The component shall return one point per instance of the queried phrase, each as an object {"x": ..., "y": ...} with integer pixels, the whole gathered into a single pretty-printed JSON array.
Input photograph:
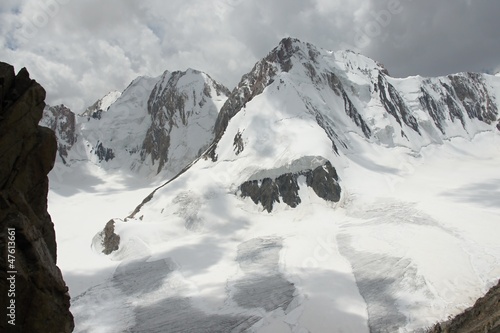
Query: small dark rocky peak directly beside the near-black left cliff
[{"x": 62, "y": 121}]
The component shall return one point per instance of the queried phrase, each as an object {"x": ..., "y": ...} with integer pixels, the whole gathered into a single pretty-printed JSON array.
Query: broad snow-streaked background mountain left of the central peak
[{"x": 156, "y": 125}]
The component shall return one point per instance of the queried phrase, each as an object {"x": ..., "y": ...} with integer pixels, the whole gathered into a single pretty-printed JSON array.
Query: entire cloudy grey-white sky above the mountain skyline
[{"x": 80, "y": 50}]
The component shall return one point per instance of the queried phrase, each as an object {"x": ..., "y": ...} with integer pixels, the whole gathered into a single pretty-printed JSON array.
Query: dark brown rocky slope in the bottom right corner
[{"x": 483, "y": 317}]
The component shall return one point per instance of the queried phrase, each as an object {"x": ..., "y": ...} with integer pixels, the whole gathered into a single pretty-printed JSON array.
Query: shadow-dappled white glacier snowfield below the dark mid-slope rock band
[{"x": 421, "y": 239}]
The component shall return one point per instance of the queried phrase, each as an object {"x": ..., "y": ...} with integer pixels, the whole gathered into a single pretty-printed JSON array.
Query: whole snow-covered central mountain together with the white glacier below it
[{"x": 411, "y": 240}]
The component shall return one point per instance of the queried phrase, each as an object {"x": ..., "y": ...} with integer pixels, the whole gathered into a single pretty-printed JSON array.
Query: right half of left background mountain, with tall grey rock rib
[{"x": 178, "y": 99}]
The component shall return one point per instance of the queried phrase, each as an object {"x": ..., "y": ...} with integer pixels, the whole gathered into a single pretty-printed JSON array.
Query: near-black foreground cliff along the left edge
[{"x": 27, "y": 155}]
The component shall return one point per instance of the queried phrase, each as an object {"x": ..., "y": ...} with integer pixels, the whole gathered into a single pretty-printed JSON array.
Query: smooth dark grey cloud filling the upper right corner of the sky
[{"x": 440, "y": 37}]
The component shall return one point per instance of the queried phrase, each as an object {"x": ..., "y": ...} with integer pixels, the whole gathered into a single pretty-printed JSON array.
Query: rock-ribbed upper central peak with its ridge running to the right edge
[{"x": 349, "y": 93}]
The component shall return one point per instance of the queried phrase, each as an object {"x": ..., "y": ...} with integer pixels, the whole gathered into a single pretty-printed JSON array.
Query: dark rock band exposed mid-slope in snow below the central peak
[{"x": 322, "y": 179}]
